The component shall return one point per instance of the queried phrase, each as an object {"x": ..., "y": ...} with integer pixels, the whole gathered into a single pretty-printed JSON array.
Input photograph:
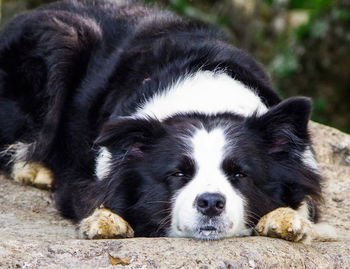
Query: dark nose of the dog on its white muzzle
[{"x": 210, "y": 204}]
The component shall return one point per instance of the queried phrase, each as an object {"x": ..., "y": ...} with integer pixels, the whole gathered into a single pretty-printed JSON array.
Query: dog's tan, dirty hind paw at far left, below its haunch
[{"x": 32, "y": 174}]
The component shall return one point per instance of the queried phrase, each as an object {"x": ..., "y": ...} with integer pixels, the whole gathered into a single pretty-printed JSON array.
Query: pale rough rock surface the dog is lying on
[{"x": 33, "y": 235}]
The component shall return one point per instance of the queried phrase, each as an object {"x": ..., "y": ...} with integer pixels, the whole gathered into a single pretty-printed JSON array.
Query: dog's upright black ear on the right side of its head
[{"x": 284, "y": 125}]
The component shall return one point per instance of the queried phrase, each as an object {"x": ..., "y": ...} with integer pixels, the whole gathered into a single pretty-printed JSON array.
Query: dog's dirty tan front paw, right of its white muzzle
[{"x": 287, "y": 224}]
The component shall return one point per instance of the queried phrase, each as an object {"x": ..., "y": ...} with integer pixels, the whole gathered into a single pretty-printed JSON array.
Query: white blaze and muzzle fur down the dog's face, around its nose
[{"x": 208, "y": 153}]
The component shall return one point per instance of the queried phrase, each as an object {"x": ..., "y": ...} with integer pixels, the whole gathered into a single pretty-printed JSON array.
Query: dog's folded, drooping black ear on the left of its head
[{"x": 130, "y": 135}]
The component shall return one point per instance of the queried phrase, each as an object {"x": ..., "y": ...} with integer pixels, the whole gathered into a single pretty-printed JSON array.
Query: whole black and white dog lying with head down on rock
[{"x": 133, "y": 115}]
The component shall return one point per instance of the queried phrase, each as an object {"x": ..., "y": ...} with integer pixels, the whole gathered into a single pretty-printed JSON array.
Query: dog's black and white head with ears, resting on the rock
[{"x": 208, "y": 177}]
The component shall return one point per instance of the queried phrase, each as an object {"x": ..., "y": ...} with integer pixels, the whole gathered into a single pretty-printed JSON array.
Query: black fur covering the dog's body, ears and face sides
[{"x": 71, "y": 71}]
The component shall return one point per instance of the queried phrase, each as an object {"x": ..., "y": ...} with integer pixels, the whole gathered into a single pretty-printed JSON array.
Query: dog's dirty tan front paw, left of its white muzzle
[{"x": 104, "y": 224}]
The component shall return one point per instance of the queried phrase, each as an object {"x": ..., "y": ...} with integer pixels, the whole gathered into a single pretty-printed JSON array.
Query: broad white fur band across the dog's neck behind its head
[{"x": 205, "y": 92}]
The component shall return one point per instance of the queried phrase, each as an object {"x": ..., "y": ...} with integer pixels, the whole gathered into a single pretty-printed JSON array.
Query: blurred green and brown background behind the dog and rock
[{"x": 304, "y": 44}]
